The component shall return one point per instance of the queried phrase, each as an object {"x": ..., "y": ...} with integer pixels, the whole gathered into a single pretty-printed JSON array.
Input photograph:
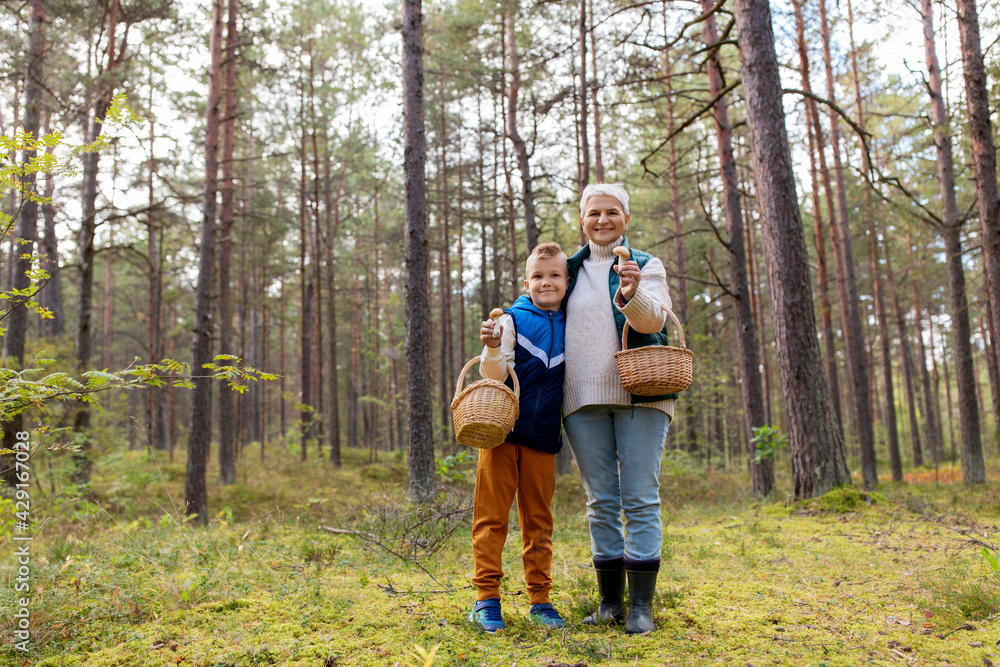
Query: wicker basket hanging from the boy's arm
[{"x": 485, "y": 411}]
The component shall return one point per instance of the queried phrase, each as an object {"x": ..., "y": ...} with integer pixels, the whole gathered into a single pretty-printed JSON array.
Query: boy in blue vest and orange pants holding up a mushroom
[{"x": 532, "y": 335}]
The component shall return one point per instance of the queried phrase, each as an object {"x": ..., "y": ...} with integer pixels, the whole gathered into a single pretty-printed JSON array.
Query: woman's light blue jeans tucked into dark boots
[{"x": 618, "y": 450}]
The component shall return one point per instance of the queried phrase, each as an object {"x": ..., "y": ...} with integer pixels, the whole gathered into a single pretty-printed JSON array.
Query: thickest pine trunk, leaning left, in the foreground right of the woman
[{"x": 818, "y": 457}]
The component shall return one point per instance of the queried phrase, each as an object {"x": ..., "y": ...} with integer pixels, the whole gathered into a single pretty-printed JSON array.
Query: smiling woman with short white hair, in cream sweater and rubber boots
[{"x": 616, "y": 437}]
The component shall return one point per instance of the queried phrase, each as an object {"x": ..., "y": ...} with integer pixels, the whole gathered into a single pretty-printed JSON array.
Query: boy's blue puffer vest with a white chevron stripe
[{"x": 540, "y": 366}]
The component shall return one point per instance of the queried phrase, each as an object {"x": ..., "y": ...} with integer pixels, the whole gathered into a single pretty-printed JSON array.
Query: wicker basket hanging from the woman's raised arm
[{"x": 655, "y": 369}]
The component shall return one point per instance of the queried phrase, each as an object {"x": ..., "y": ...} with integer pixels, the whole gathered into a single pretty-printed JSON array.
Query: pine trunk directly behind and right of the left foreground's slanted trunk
[{"x": 227, "y": 445}]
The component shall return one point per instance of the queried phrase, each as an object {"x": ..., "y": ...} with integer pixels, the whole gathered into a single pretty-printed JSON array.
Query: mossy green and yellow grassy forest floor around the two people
[{"x": 895, "y": 577}]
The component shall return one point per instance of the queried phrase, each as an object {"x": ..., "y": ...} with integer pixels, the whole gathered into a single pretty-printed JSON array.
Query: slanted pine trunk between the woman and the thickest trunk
[{"x": 762, "y": 474}]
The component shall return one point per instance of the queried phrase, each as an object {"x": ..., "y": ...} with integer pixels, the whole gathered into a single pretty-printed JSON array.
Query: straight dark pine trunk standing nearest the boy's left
[{"x": 420, "y": 433}]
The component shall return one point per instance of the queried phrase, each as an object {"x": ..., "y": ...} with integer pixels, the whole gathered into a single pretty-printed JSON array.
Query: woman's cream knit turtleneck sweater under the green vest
[{"x": 591, "y": 336}]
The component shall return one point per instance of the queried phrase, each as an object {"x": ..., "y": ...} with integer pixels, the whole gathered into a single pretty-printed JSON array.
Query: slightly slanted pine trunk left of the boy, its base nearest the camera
[{"x": 200, "y": 431}]
